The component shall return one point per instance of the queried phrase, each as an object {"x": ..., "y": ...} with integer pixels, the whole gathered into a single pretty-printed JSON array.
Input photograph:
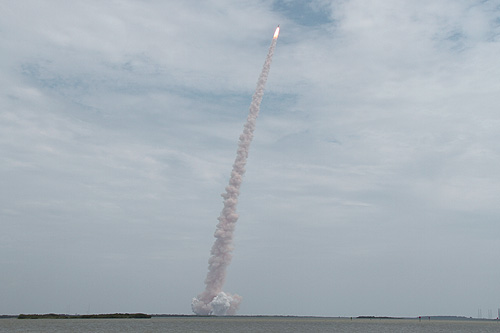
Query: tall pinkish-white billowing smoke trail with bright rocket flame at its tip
[{"x": 213, "y": 301}]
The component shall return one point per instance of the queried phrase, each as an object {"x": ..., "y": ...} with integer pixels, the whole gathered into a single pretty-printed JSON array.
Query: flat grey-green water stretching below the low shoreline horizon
[{"x": 243, "y": 324}]
